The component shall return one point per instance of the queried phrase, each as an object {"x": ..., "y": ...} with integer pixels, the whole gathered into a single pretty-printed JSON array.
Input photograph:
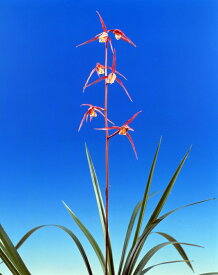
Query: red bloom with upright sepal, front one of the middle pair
[{"x": 111, "y": 78}]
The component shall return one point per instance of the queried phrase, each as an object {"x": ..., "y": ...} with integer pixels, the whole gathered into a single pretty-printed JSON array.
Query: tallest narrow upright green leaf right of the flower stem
[{"x": 145, "y": 197}]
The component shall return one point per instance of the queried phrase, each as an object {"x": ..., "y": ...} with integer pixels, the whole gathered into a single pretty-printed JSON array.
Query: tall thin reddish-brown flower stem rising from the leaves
[{"x": 106, "y": 161}]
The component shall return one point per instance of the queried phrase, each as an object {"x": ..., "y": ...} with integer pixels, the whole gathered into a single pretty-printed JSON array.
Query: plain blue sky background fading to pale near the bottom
[{"x": 172, "y": 77}]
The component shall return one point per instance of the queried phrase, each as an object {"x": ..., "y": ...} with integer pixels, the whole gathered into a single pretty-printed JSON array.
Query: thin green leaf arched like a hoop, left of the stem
[{"x": 69, "y": 232}]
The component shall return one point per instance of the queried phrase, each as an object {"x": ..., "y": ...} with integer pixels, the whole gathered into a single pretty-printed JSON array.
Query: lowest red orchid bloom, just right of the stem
[{"x": 123, "y": 130}]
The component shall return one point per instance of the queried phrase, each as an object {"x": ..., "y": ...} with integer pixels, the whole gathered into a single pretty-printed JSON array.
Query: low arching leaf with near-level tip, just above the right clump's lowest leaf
[{"x": 151, "y": 253}]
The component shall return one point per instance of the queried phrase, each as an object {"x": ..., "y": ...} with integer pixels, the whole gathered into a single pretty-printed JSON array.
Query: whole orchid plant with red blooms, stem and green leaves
[{"x": 130, "y": 261}]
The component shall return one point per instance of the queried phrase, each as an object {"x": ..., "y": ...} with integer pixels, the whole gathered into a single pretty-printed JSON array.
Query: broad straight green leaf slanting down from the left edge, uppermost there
[{"x": 12, "y": 253}]
